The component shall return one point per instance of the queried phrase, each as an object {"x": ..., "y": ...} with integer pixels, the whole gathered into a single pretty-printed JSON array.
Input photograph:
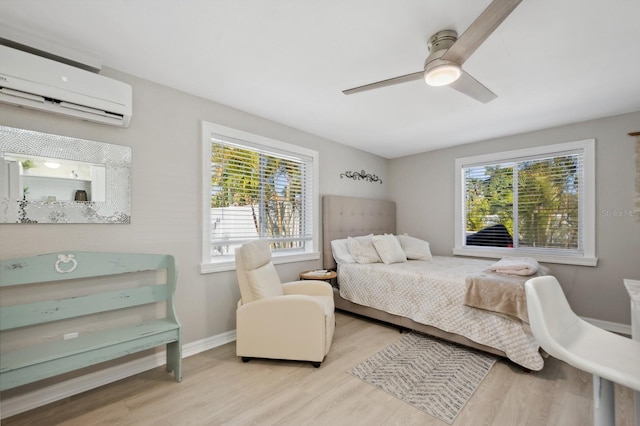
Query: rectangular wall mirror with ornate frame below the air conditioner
[{"x": 47, "y": 178}]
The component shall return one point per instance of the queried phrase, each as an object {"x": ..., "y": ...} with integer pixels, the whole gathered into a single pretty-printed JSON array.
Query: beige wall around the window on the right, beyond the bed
[{"x": 594, "y": 292}]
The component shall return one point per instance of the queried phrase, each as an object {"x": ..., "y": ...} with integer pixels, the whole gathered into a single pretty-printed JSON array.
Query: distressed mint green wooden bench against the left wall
[{"x": 44, "y": 360}]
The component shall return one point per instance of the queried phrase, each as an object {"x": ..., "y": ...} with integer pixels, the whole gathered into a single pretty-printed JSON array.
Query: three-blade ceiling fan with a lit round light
[{"x": 447, "y": 53}]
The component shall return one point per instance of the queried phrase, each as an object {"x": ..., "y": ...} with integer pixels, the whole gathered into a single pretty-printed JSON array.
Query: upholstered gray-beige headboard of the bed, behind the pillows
[{"x": 344, "y": 217}]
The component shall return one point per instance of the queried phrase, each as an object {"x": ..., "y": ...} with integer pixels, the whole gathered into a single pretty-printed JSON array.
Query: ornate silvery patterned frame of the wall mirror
[{"x": 116, "y": 158}]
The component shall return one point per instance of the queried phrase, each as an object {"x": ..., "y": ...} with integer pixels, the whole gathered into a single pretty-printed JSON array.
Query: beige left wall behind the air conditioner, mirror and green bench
[{"x": 165, "y": 139}]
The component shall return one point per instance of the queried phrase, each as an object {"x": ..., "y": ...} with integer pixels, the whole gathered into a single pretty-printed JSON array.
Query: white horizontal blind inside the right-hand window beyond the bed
[{"x": 525, "y": 203}]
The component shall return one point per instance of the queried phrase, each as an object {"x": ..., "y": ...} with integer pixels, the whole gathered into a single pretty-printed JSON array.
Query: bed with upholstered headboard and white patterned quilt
[{"x": 426, "y": 295}]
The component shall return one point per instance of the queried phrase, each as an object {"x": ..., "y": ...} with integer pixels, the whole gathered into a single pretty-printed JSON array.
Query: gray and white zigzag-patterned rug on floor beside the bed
[{"x": 432, "y": 375}]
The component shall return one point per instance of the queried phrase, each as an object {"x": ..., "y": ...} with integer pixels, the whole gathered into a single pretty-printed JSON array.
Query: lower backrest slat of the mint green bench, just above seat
[{"x": 55, "y": 310}]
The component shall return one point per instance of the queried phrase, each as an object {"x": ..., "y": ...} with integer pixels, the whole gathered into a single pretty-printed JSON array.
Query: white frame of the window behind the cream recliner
[{"x": 211, "y": 264}]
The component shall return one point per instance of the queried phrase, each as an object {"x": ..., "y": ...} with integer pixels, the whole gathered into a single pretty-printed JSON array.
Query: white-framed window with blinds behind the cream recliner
[{"x": 257, "y": 188}]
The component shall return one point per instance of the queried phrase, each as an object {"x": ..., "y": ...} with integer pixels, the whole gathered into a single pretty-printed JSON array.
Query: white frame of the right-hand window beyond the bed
[{"x": 588, "y": 206}]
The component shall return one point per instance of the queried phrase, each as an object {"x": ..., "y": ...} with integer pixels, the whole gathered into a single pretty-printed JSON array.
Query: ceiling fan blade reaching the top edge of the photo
[{"x": 479, "y": 30}]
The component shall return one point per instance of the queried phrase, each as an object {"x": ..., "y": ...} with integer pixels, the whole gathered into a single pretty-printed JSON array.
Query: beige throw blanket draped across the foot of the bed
[{"x": 502, "y": 294}]
